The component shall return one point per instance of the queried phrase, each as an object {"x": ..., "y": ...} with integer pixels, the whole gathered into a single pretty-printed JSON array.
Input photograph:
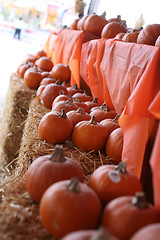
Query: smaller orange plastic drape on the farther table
[{"x": 68, "y": 50}]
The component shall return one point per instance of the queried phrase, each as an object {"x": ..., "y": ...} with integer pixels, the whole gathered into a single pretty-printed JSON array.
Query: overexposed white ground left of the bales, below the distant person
[{"x": 13, "y": 51}]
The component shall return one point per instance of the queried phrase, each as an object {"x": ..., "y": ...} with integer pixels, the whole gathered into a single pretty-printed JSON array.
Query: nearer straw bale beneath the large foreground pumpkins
[{"x": 19, "y": 214}]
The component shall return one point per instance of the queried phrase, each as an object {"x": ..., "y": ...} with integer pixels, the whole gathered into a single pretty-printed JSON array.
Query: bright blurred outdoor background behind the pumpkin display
[{"x": 40, "y": 17}]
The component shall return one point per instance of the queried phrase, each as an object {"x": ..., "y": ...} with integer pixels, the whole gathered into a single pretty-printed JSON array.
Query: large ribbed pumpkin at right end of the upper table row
[{"x": 149, "y": 34}]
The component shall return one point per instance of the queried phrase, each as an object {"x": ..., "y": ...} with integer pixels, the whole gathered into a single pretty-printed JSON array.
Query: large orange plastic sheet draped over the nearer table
[{"x": 126, "y": 76}]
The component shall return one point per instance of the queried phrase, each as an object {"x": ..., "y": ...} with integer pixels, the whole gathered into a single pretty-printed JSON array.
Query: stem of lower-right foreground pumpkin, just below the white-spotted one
[{"x": 140, "y": 200}]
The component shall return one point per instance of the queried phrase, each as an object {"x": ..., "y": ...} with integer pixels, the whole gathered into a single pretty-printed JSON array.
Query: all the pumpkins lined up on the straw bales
[{"x": 111, "y": 204}]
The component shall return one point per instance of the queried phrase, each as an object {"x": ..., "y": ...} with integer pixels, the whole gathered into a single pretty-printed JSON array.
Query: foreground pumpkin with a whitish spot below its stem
[{"x": 110, "y": 181}]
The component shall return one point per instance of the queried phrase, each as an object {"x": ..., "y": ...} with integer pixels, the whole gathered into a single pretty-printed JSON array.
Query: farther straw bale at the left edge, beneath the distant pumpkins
[{"x": 14, "y": 114}]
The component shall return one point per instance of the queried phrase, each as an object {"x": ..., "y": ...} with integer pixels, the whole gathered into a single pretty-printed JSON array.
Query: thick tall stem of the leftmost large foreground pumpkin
[{"x": 58, "y": 154}]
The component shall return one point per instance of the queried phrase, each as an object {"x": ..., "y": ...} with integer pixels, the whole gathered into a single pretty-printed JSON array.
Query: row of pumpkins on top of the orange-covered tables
[{"x": 117, "y": 28}]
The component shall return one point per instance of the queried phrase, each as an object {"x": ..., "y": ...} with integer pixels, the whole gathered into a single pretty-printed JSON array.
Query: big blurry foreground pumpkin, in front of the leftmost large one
[{"x": 68, "y": 206}]
